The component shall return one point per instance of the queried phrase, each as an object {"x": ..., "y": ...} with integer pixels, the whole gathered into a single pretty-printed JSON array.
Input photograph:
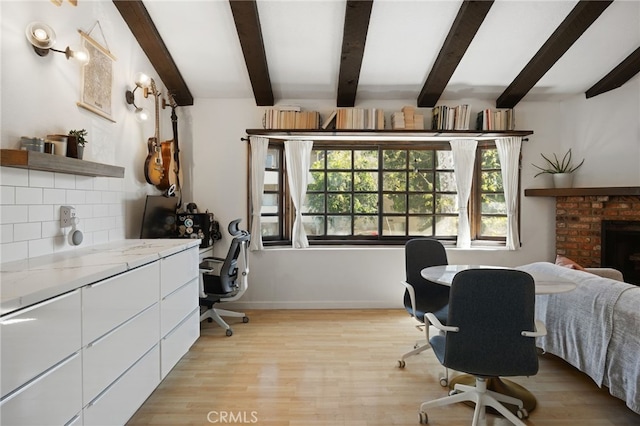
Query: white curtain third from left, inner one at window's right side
[{"x": 464, "y": 156}]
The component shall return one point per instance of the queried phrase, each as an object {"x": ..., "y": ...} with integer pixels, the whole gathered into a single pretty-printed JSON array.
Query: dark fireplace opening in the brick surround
[{"x": 621, "y": 248}]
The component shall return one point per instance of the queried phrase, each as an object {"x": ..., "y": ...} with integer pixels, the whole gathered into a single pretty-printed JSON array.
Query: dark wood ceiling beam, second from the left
[{"x": 245, "y": 15}]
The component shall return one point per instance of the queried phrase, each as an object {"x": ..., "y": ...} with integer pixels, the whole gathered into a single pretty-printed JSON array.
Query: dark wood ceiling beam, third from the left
[{"x": 354, "y": 37}]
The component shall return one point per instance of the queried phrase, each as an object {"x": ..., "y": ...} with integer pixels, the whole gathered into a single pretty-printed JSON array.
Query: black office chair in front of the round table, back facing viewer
[{"x": 490, "y": 332}]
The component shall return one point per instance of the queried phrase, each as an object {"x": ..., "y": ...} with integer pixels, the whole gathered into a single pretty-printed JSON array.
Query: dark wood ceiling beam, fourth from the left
[{"x": 464, "y": 28}]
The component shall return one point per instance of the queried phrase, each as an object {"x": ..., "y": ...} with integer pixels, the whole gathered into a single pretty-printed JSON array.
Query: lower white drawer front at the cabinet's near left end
[{"x": 52, "y": 399}]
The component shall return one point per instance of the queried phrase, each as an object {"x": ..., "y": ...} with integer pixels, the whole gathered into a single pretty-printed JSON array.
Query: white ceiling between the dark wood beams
[{"x": 303, "y": 40}]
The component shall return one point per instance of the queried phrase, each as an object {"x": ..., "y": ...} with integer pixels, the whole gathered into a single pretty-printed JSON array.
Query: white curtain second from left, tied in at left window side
[{"x": 298, "y": 158}]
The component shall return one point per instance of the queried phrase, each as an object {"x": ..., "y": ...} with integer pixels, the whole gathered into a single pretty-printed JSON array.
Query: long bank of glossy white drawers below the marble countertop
[{"x": 93, "y": 355}]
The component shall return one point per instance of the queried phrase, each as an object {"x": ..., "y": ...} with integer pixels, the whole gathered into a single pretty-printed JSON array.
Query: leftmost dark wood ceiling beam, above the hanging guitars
[{"x": 144, "y": 30}]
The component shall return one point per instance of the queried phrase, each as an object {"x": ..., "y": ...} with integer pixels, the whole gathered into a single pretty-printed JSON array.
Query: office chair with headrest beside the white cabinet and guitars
[{"x": 219, "y": 281}]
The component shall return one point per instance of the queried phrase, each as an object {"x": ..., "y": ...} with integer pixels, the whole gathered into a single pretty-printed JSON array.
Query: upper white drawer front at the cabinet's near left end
[{"x": 38, "y": 337}]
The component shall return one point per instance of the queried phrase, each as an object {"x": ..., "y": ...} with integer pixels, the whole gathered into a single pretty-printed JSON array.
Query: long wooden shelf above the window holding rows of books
[{"x": 386, "y": 134}]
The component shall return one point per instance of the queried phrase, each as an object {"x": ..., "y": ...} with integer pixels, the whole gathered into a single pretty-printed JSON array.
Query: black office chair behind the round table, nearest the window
[{"x": 421, "y": 295}]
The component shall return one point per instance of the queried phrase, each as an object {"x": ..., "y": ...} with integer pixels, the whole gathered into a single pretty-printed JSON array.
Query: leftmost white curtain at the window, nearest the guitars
[{"x": 259, "y": 147}]
